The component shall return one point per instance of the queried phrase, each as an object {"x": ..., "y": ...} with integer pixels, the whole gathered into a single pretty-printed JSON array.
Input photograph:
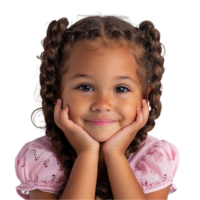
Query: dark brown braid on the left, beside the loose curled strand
[{"x": 49, "y": 76}]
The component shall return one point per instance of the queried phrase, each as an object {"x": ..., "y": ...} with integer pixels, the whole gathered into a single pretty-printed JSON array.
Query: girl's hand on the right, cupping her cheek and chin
[{"x": 120, "y": 141}]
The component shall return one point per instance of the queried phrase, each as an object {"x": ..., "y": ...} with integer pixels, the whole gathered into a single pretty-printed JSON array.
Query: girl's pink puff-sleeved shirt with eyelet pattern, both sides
[{"x": 36, "y": 166}]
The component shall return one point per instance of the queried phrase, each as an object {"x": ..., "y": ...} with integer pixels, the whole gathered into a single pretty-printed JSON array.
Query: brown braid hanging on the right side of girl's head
[{"x": 153, "y": 61}]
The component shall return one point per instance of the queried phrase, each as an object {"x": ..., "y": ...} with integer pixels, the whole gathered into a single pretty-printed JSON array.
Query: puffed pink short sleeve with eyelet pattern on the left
[{"x": 36, "y": 167}]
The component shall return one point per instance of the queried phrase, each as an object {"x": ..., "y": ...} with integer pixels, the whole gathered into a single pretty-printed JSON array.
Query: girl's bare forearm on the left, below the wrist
[{"x": 83, "y": 177}]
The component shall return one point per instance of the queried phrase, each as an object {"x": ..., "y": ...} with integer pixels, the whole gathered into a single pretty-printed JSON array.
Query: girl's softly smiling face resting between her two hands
[{"x": 103, "y": 95}]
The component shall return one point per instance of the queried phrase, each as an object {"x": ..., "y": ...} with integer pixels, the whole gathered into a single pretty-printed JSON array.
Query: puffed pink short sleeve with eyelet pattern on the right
[{"x": 156, "y": 167}]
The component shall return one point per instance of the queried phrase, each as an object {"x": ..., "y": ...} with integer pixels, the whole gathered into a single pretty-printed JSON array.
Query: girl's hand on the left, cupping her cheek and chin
[{"x": 75, "y": 134}]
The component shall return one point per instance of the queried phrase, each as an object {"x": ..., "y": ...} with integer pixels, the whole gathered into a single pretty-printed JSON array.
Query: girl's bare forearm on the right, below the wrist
[{"x": 123, "y": 183}]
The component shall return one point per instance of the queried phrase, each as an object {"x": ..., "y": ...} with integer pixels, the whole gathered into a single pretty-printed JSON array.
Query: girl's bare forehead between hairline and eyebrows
[{"x": 97, "y": 57}]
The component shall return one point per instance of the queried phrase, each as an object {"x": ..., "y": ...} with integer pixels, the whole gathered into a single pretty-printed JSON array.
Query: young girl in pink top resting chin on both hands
[{"x": 101, "y": 67}]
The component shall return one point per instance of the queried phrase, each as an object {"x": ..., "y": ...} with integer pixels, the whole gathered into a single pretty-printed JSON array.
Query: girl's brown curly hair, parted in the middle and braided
[{"x": 61, "y": 35}]
